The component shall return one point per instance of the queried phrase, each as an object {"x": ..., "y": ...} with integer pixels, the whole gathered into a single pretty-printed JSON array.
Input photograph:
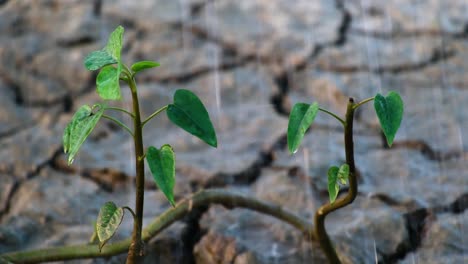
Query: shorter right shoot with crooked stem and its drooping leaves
[{"x": 389, "y": 110}]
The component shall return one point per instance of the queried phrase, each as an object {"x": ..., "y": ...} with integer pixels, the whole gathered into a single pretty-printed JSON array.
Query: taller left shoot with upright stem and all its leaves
[{"x": 187, "y": 112}]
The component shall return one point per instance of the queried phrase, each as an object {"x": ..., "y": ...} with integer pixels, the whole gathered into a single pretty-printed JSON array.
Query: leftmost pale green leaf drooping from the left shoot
[{"x": 81, "y": 125}]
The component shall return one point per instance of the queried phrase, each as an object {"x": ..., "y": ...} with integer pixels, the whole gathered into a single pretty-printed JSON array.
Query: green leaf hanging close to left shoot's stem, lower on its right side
[{"x": 162, "y": 166}]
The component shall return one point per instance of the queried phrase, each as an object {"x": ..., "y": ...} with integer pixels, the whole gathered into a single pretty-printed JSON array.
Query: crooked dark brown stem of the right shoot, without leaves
[{"x": 323, "y": 211}]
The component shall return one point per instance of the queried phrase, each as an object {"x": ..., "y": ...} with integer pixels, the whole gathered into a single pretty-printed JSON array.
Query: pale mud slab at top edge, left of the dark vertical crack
[{"x": 247, "y": 26}]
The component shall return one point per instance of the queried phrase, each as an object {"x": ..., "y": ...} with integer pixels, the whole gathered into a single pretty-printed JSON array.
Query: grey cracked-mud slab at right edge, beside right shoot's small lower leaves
[{"x": 412, "y": 177}]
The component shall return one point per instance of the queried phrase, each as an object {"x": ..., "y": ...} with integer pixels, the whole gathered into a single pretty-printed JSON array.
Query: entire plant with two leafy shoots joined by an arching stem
[{"x": 188, "y": 112}]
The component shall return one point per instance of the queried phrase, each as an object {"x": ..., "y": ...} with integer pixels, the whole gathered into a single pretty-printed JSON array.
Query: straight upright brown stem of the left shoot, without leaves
[{"x": 135, "y": 251}]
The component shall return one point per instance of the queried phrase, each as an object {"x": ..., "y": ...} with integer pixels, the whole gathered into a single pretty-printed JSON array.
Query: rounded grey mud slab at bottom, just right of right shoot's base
[{"x": 366, "y": 230}]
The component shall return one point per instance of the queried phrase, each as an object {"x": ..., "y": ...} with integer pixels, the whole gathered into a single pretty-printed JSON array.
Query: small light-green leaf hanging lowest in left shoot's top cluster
[{"x": 107, "y": 83}]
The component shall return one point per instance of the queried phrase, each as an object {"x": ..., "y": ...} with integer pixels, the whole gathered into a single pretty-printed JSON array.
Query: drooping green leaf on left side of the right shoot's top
[{"x": 301, "y": 118}]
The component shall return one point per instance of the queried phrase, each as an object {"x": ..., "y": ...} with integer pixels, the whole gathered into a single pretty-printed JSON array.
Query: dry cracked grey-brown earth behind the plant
[{"x": 249, "y": 61}]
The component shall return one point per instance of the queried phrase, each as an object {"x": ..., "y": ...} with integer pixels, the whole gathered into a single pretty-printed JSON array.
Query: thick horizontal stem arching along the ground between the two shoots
[{"x": 201, "y": 199}]
